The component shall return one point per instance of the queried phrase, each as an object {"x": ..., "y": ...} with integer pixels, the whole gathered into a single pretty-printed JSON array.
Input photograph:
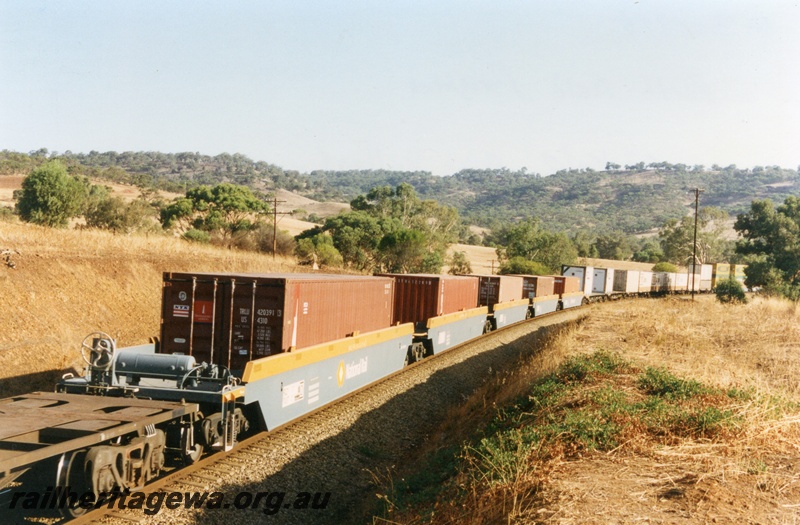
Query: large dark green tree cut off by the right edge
[{"x": 771, "y": 241}]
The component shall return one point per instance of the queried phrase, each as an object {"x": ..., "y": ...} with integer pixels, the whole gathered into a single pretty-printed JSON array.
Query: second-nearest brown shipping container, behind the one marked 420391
[{"x": 418, "y": 297}]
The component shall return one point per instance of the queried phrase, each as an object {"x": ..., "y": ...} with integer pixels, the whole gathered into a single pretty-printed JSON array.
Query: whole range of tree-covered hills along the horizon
[{"x": 634, "y": 198}]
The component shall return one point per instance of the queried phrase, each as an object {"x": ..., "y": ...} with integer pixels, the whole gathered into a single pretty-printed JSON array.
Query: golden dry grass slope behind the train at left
[{"x": 68, "y": 283}]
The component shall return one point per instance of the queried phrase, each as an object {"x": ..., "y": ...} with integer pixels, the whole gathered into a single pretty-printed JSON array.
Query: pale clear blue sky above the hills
[{"x": 407, "y": 85}]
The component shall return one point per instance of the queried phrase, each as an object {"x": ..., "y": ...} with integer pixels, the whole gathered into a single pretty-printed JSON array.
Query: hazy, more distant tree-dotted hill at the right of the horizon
[{"x": 633, "y": 200}]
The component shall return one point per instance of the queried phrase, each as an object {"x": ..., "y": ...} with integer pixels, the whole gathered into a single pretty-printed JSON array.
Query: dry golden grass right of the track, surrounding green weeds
[{"x": 751, "y": 352}]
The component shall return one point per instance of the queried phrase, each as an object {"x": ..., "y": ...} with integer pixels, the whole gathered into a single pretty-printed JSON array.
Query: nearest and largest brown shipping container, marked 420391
[{"x": 229, "y": 319}]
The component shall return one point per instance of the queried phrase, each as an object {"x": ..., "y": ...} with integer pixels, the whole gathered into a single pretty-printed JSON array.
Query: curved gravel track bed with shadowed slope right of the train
[{"x": 337, "y": 445}]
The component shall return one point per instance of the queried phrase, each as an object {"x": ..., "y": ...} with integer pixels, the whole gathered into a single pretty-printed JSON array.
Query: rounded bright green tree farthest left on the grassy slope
[{"x": 50, "y": 196}]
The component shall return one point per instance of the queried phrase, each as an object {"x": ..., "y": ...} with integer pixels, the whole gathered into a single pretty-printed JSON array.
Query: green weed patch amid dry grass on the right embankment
[{"x": 597, "y": 402}]
